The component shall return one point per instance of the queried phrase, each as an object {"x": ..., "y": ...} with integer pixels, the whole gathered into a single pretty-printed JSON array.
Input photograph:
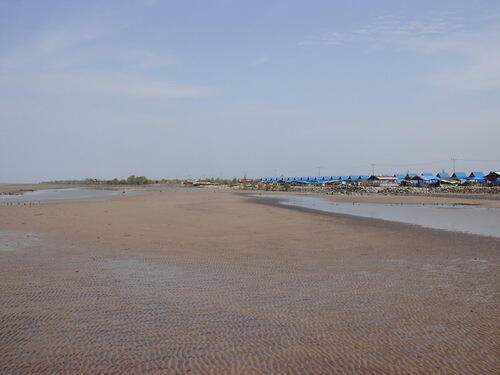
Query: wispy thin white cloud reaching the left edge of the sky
[{"x": 73, "y": 62}]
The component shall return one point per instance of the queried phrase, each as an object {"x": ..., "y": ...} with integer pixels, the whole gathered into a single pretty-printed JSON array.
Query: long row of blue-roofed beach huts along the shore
[{"x": 457, "y": 178}]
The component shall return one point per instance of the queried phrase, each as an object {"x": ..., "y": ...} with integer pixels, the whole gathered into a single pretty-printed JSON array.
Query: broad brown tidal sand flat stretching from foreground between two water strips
[{"x": 208, "y": 282}]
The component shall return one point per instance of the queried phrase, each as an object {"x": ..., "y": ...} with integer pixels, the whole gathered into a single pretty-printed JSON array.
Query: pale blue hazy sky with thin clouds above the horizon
[{"x": 223, "y": 88}]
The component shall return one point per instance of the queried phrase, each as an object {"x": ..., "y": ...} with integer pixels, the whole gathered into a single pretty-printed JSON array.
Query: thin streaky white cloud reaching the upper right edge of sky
[{"x": 472, "y": 54}]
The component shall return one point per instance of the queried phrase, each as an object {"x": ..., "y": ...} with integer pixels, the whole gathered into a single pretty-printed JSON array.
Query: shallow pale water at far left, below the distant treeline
[{"x": 55, "y": 195}]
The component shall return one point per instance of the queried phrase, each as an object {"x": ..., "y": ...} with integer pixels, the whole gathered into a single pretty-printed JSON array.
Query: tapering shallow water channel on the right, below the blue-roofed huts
[{"x": 459, "y": 218}]
